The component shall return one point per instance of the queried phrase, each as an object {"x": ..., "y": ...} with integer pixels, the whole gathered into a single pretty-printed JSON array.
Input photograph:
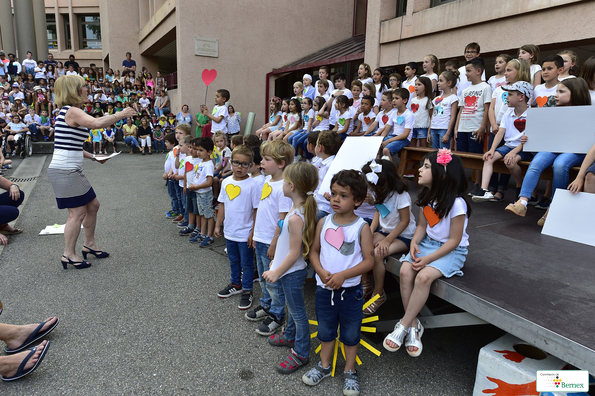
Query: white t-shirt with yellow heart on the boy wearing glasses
[{"x": 240, "y": 198}]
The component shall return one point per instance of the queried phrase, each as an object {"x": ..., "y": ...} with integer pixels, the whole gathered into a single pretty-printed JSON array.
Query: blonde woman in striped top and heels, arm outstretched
[{"x": 72, "y": 189}]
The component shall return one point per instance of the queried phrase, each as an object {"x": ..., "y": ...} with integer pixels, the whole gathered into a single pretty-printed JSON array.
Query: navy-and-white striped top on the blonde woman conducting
[{"x": 68, "y": 143}]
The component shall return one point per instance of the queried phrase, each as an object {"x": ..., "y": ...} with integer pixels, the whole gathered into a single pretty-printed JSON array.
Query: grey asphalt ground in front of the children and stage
[{"x": 147, "y": 320}]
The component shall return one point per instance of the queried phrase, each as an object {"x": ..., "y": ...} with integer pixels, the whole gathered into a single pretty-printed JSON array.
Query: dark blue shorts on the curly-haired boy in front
[{"x": 343, "y": 307}]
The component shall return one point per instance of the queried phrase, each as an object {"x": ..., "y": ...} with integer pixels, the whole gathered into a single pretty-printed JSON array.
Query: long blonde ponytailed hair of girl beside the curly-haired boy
[{"x": 304, "y": 178}]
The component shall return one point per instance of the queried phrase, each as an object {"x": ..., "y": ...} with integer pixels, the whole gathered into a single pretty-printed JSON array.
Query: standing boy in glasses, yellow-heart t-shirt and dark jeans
[{"x": 239, "y": 198}]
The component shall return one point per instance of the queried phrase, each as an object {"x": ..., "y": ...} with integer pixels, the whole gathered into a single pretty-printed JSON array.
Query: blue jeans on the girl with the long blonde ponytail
[{"x": 298, "y": 327}]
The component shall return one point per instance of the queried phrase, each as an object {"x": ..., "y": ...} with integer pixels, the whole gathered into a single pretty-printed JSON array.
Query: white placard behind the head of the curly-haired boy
[{"x": 355, "y": 152}]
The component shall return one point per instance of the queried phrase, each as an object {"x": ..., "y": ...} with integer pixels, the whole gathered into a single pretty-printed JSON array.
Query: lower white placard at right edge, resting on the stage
[{"x": 571, "y": 217}]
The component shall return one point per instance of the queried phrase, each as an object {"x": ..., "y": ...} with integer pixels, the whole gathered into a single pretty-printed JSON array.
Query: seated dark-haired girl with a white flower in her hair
[{"x": 393, "y": 221}]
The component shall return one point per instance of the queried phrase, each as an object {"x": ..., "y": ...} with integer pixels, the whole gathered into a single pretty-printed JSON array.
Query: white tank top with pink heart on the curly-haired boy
[{"x": 340, "y": 248}]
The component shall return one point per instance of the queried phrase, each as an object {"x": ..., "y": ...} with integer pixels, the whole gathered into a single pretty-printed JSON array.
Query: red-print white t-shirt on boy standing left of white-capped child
[{"x": 472, "y": 102}]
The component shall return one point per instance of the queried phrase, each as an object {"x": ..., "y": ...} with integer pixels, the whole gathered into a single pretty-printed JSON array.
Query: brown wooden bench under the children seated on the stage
[{"x": 471, "y": 161}]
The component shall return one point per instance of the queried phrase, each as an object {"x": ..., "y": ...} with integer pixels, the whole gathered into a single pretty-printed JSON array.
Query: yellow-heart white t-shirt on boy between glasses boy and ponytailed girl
[{"x": 272, "y": 203}]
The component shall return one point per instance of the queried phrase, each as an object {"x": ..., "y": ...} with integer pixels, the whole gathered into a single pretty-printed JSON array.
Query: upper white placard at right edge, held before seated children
[{"x": 568, "y": 129}]
